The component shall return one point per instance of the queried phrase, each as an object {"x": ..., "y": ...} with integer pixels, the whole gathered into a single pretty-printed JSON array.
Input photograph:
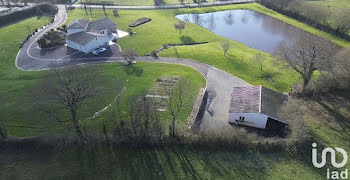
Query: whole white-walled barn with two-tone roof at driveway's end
[{"x": 257, "y": 107}]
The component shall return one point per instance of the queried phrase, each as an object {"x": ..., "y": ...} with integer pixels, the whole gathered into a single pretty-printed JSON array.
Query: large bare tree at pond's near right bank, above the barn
[{"x": 306, "y": 55}]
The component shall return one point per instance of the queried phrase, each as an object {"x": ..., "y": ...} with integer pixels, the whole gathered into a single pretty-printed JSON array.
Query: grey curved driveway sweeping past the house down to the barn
[{"x": 219, "y": 83}]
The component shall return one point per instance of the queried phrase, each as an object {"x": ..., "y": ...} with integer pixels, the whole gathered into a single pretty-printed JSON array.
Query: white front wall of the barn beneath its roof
[{"x": 256, "y": 120}]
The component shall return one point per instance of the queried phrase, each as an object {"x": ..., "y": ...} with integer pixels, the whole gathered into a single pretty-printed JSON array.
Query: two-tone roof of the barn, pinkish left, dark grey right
[{"x": 257, "y": 99}]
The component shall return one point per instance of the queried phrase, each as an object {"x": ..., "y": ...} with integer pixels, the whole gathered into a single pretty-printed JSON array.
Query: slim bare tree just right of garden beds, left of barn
[{"x": 179, "y": 96}]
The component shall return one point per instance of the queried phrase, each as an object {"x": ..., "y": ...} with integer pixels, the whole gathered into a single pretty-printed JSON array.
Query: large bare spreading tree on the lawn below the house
[{"x": 64, "y": 92}]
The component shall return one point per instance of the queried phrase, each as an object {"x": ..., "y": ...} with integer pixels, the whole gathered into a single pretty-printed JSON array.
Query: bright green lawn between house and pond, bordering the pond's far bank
[{"x": 161, "y": 27}]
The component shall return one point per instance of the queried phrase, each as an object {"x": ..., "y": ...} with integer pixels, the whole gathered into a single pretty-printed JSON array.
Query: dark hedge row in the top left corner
[{"x": 37, "y": 10}]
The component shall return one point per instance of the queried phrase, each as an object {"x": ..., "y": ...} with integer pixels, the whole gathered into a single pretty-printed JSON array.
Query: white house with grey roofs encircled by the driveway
[{"x": 86, "y": 36}]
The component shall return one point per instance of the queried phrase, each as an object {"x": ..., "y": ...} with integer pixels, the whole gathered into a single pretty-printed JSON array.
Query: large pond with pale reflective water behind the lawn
[{"x": 249, "y": 27}]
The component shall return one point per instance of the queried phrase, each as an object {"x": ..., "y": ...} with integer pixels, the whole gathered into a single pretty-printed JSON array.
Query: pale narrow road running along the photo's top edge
[{"x": 171, "y": 6}]
